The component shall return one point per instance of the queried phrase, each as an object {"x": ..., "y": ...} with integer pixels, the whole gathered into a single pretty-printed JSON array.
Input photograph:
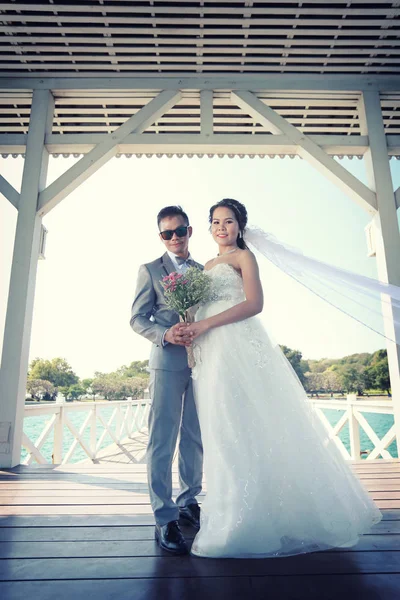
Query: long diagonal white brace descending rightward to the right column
[{"x": 307, "y": 149}]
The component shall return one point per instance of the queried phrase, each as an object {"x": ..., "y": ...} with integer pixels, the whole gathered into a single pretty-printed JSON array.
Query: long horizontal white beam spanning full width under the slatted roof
[{"x": 281, "y": 82}]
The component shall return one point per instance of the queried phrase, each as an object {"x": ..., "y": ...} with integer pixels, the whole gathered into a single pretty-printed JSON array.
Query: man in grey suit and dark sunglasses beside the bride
[{"x": 173, "y": 409}]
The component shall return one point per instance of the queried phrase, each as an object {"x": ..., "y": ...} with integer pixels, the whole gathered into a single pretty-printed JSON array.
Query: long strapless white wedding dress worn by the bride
[{"x": 276, "y": 484}]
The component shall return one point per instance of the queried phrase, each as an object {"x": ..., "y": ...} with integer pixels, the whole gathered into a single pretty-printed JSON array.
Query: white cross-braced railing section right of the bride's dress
[{"x": 353, "y": 415}]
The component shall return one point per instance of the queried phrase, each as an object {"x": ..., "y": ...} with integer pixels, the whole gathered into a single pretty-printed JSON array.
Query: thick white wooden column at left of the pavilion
[{"x": 14, "y": 364}]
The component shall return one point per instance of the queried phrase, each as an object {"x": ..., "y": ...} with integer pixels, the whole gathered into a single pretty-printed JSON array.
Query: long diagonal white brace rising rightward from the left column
[{"x": 102, "y": 153}]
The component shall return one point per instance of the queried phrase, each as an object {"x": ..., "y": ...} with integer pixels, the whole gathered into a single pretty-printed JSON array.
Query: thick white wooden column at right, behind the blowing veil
[{"x": 388, "y": 243}]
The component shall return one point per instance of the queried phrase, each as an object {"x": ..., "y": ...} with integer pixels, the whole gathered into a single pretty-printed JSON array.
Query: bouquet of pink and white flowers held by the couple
[{"x": 182, "y": 291}]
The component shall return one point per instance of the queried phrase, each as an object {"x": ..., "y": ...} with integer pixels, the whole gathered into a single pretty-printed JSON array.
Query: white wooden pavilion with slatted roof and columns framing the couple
[{"x": 100, "y": 78}]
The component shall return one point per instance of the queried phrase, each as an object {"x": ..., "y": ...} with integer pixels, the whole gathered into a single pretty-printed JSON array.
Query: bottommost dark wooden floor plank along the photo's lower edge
[{"x": 367, "y": 587}]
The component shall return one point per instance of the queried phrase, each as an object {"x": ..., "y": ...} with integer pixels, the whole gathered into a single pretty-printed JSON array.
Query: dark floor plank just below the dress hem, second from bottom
[{"x": 187, "y": 566}]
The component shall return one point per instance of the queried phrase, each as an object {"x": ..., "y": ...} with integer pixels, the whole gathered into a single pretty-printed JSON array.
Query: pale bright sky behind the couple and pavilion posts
[{"x": 100, "y": 234}]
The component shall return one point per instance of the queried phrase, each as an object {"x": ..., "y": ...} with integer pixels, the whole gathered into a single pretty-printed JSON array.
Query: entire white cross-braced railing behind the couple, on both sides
[{"x": 129, "y": 418}]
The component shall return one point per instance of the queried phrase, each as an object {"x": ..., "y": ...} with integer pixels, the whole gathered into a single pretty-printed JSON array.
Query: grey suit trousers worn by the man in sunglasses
[{"x": 173, "y": 411}]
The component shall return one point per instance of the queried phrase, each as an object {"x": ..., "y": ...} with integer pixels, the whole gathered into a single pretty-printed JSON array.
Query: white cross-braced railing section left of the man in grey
[{"x": 128, "y": 418}]
